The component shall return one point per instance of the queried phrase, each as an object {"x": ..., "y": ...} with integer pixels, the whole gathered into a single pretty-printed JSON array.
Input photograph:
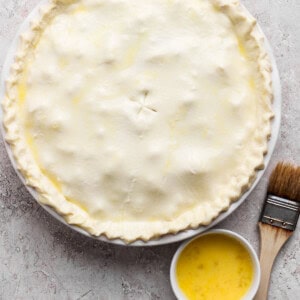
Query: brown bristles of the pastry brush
[{"x": 285, "y": 181}]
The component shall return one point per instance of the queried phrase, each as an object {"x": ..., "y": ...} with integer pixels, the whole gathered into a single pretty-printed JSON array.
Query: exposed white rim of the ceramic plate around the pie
[{"x": 169, "y": 238}]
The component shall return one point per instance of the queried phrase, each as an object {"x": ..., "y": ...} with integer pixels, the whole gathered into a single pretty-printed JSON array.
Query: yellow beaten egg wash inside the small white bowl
[{"x": 214, "y": 267}]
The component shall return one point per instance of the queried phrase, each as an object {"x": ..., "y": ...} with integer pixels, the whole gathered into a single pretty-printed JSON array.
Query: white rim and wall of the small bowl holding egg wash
[{"x": 256, "y": 266}]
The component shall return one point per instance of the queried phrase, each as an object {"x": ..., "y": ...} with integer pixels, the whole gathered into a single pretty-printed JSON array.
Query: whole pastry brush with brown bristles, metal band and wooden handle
[{"x": 278, "y": 219}]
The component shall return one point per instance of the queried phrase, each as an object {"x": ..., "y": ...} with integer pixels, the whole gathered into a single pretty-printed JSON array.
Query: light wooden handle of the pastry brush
[{"x": 271, "y": 240}]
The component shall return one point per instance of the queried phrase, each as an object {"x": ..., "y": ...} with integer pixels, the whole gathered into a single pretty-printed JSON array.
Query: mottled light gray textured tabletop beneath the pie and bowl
[{"x": 42, "y": 259}]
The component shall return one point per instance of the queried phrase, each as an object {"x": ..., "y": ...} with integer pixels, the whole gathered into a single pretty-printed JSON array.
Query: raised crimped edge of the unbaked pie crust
[{"x": 131, "y": 230}]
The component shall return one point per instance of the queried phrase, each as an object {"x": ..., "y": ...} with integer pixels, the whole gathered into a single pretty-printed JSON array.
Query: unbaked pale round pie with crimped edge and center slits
[{"x": 133, "y": 119}]
